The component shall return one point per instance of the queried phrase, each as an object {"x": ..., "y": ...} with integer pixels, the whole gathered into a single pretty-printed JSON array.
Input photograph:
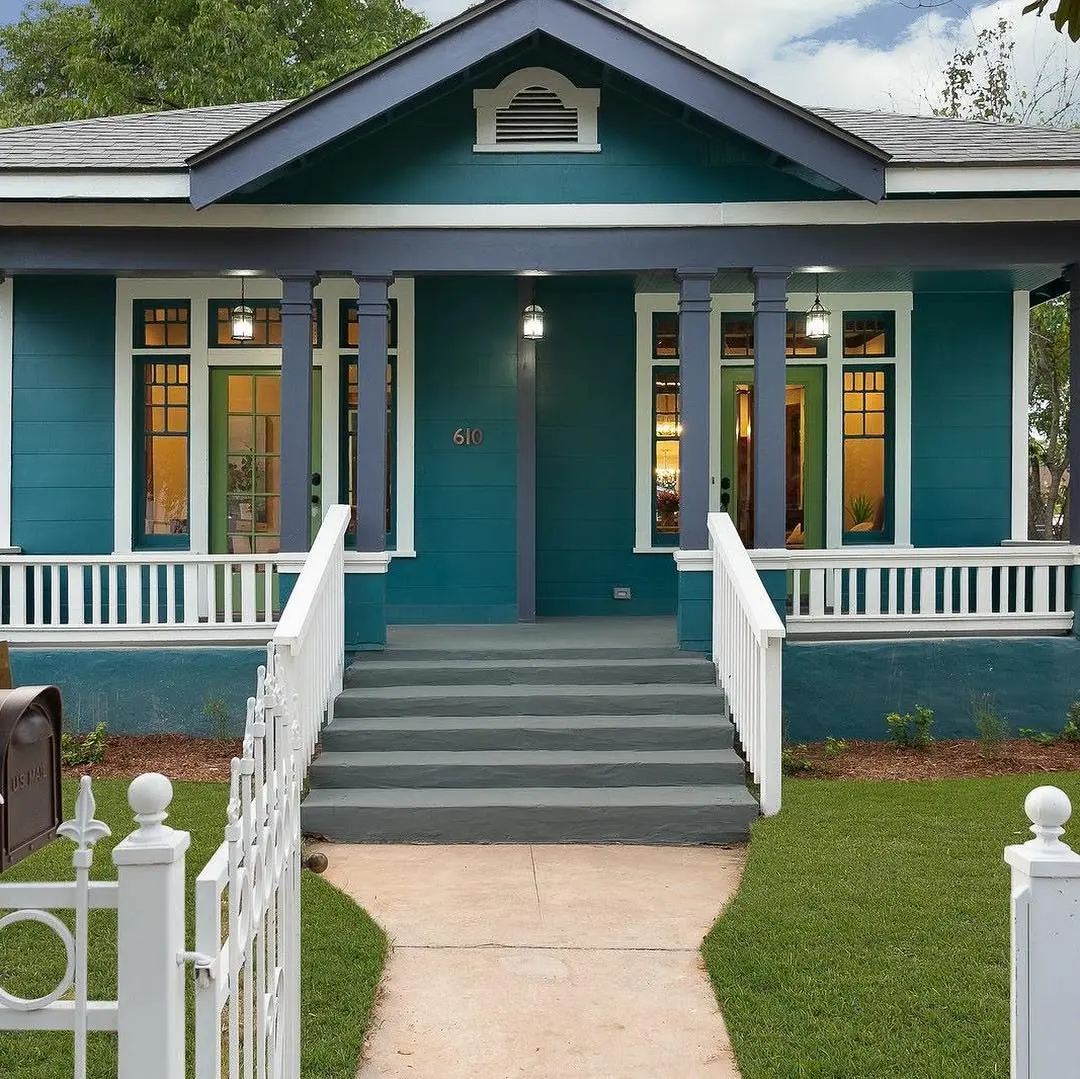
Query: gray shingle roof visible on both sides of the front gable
[{"x": 165, "y": 141}]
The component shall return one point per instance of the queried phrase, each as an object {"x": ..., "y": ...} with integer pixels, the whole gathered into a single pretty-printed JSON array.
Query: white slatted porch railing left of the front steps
[{"x": 141, "y": 598}]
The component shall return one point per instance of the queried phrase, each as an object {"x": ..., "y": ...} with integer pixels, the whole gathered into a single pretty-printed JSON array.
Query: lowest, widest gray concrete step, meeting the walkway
[{"x": 637, "y": 815}]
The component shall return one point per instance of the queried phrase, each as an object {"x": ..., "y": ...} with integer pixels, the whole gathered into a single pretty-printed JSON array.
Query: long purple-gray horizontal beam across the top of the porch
[{"x": 205, "y": 251}]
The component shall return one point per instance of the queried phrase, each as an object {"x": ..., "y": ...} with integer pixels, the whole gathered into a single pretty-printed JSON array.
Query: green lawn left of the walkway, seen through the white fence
[{"x": 343, "y": 950}]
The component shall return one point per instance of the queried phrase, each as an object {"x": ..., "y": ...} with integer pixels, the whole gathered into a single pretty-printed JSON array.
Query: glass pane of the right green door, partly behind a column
[{"x": 795, "y": 423}]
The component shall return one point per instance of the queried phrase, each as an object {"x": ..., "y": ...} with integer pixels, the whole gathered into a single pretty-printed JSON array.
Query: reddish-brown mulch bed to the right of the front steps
[{"x": 877, "y": 761}]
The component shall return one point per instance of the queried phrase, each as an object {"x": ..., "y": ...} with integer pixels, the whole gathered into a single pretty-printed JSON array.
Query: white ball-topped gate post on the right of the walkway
[{"x": 1046, "y": 941}]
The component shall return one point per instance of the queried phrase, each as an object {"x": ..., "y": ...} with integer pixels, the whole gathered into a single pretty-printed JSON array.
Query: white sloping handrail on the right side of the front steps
[{"x": 748, "y": 644}]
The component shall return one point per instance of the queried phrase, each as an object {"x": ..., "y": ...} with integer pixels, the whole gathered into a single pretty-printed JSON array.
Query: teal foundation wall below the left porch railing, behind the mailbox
[{"x": 147, "y": 691}]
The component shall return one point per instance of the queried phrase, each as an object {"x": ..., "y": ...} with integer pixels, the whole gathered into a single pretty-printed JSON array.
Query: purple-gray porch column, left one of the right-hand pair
[{"x": 696, "y": 303}]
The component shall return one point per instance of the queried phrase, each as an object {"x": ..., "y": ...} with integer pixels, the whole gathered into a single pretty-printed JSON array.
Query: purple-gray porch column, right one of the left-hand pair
[{"x": 373, "y": 318}]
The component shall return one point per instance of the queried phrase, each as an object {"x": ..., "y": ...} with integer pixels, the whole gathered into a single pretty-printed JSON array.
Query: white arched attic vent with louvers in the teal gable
[{"x": 536, "y": 111}]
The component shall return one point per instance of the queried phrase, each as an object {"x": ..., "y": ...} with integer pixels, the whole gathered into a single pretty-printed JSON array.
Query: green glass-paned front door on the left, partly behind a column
[{"x": 246, "y": 460}]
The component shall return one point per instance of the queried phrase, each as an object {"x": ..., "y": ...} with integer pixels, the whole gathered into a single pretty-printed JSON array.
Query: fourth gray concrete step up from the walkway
[{"x": 531, "y": 700}]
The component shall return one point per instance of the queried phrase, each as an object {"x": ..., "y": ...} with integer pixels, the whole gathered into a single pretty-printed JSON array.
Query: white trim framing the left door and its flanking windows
[{"x": 202, "y": 359}]
